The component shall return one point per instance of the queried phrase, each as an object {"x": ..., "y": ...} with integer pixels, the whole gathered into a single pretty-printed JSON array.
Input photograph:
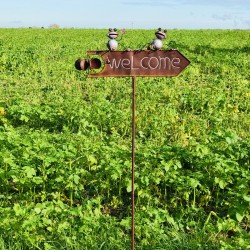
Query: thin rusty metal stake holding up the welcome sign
[{"x": 133, "y": 162}]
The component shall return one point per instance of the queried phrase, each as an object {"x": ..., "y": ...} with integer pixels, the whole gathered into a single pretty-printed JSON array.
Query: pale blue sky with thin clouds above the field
[{"x": 145, "y": 14}]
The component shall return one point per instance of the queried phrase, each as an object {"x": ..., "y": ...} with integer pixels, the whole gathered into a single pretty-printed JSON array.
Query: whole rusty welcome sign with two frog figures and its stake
[{"x": 151, "y": 61}]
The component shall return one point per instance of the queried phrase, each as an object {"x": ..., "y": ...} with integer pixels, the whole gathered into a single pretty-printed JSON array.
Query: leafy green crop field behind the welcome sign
[{"x": 65, "y": 144}]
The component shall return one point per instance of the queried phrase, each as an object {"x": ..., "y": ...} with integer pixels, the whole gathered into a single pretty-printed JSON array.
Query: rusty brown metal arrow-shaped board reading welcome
[{"x": 139, "y": 63}]
